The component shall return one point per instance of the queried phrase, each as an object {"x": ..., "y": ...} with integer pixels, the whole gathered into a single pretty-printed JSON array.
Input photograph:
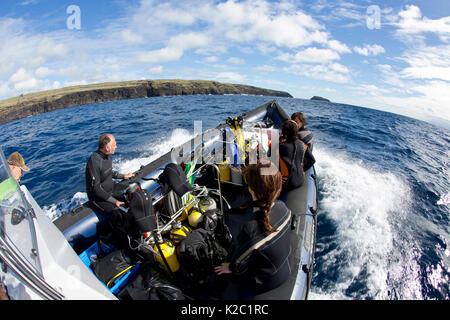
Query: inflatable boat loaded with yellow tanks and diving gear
[{"x": 64, "y": 259}]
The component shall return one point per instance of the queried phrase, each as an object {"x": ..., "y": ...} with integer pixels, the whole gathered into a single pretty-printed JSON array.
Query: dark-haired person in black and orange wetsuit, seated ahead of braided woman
[{"x": 292, "y": 152}]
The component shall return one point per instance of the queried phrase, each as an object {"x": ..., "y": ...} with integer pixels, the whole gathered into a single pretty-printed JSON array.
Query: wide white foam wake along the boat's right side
[{"x": 366, "y": 206}]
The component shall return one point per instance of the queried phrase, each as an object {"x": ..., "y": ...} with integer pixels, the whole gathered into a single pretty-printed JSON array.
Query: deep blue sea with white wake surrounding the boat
[{"x": 384, "y": 187}]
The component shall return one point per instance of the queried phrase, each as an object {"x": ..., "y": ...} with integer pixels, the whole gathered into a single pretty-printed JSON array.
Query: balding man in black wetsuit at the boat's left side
[{"x": 102, "y": 192}]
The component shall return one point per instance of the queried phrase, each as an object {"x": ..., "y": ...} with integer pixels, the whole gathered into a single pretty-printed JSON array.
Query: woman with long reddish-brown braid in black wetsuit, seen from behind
[{"x": 261, "y": 259}]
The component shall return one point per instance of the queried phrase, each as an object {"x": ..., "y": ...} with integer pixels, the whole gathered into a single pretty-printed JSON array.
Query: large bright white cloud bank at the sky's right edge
[{"x": 420, "y": 86}]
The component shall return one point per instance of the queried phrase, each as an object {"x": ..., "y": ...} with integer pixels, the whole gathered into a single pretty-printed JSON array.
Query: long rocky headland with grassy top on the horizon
[{"x": 44, "y": 101}]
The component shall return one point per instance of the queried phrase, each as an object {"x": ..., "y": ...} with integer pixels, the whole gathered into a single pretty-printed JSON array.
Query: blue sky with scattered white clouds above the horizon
[{"x": 387, "y": 55}]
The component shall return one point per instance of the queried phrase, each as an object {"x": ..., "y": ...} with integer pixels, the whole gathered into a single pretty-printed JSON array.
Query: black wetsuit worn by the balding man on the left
[{"x": 100, "y": 187}]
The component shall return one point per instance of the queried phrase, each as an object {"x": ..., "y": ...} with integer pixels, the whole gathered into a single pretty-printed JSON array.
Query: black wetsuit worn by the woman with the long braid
[{"x": 270, "y": 265}]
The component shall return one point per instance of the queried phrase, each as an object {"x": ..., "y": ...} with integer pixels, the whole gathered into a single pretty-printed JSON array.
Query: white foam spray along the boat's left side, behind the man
[{"x": 150, "y": 152}]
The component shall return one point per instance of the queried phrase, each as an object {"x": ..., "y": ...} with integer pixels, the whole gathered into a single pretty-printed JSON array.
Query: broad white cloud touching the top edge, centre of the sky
[{"x": 277, "y": 23}]
